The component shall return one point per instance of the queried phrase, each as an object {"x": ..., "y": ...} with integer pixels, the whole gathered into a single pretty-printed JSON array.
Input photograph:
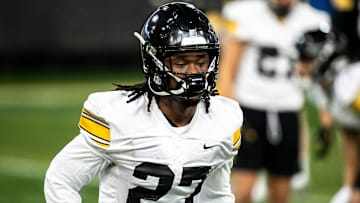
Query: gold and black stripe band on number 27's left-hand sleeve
[{"x": 95, "y": 126}]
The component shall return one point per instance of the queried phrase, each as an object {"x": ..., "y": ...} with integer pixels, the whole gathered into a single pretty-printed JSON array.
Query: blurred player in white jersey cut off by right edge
[{"x": 345, "y": 108}]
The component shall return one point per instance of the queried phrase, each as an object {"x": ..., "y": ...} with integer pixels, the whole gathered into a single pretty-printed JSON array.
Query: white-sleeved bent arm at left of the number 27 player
[{"x": 73, "y": 167}]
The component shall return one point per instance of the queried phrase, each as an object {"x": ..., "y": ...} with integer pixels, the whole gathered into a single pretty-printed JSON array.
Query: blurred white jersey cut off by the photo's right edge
[{"x": 347, "y": 93}]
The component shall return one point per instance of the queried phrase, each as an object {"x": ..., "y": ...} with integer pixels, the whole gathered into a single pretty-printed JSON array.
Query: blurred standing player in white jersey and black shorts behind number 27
[{"x": 259, "y": 68}]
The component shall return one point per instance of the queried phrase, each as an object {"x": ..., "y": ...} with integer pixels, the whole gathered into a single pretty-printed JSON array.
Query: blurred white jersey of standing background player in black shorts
[{"x": 267, "y": 78}]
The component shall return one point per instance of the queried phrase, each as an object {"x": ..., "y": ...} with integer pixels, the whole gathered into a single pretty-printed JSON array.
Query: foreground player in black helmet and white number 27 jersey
[{"x": 168, "y": 139}]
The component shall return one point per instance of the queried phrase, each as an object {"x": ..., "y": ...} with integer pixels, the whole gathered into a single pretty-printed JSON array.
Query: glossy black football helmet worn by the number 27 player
[{"x": 173, "y": 28}]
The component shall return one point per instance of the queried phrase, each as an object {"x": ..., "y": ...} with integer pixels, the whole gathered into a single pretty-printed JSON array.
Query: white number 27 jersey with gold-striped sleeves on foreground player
[{"x": 142, "y": 158}]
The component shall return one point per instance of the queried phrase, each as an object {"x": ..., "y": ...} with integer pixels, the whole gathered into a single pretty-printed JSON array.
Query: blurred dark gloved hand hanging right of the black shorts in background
[{"x": 323, "y": 142}]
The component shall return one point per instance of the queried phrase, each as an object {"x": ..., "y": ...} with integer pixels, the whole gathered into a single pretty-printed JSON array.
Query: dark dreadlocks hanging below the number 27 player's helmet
[{"x": 140, "y": 89}]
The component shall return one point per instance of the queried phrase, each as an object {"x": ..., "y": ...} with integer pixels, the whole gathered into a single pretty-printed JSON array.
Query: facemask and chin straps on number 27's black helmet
[{"x": 189, "y": 87}]
